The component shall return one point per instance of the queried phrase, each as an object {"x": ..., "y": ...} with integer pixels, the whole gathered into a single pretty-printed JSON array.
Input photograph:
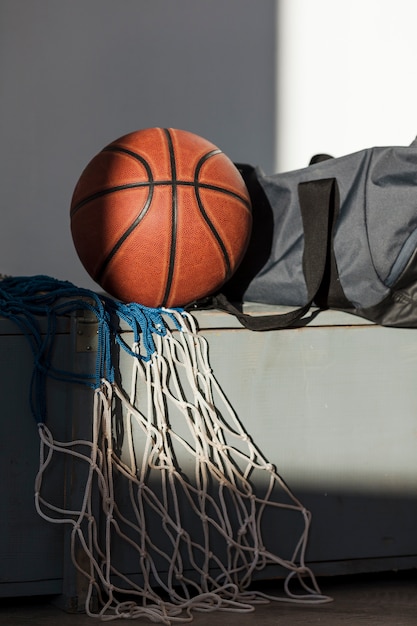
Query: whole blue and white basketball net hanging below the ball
[{"x": 170, "y": 475}]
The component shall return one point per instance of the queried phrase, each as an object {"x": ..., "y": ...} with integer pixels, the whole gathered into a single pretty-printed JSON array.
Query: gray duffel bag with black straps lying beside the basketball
[{"x": 340, "y": 233}]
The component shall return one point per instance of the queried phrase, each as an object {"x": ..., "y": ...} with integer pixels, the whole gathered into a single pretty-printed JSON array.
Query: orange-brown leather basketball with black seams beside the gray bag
[{"x": 161, "y": 217}]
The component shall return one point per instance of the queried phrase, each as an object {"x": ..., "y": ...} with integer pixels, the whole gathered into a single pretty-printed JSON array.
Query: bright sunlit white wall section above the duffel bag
[{"x": 346, "y": 77}]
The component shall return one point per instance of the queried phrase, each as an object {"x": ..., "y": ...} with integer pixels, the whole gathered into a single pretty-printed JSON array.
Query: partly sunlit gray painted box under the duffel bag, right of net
[{"x": 334, "y": 406}]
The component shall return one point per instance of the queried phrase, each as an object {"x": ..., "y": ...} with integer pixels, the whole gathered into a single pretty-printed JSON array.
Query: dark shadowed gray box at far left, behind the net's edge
[{"x": 31, "y": 550}]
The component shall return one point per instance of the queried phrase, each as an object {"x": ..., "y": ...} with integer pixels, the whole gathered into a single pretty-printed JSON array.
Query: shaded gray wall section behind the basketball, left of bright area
[{"x": 77, "y": 74}]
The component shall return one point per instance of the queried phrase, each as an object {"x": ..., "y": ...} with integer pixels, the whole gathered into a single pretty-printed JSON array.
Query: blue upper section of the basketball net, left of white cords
[{"x": 34, "y": 304}]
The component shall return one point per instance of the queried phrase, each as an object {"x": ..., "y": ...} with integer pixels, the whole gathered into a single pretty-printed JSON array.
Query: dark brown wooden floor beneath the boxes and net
[{"x": 384, "y": 600}]
